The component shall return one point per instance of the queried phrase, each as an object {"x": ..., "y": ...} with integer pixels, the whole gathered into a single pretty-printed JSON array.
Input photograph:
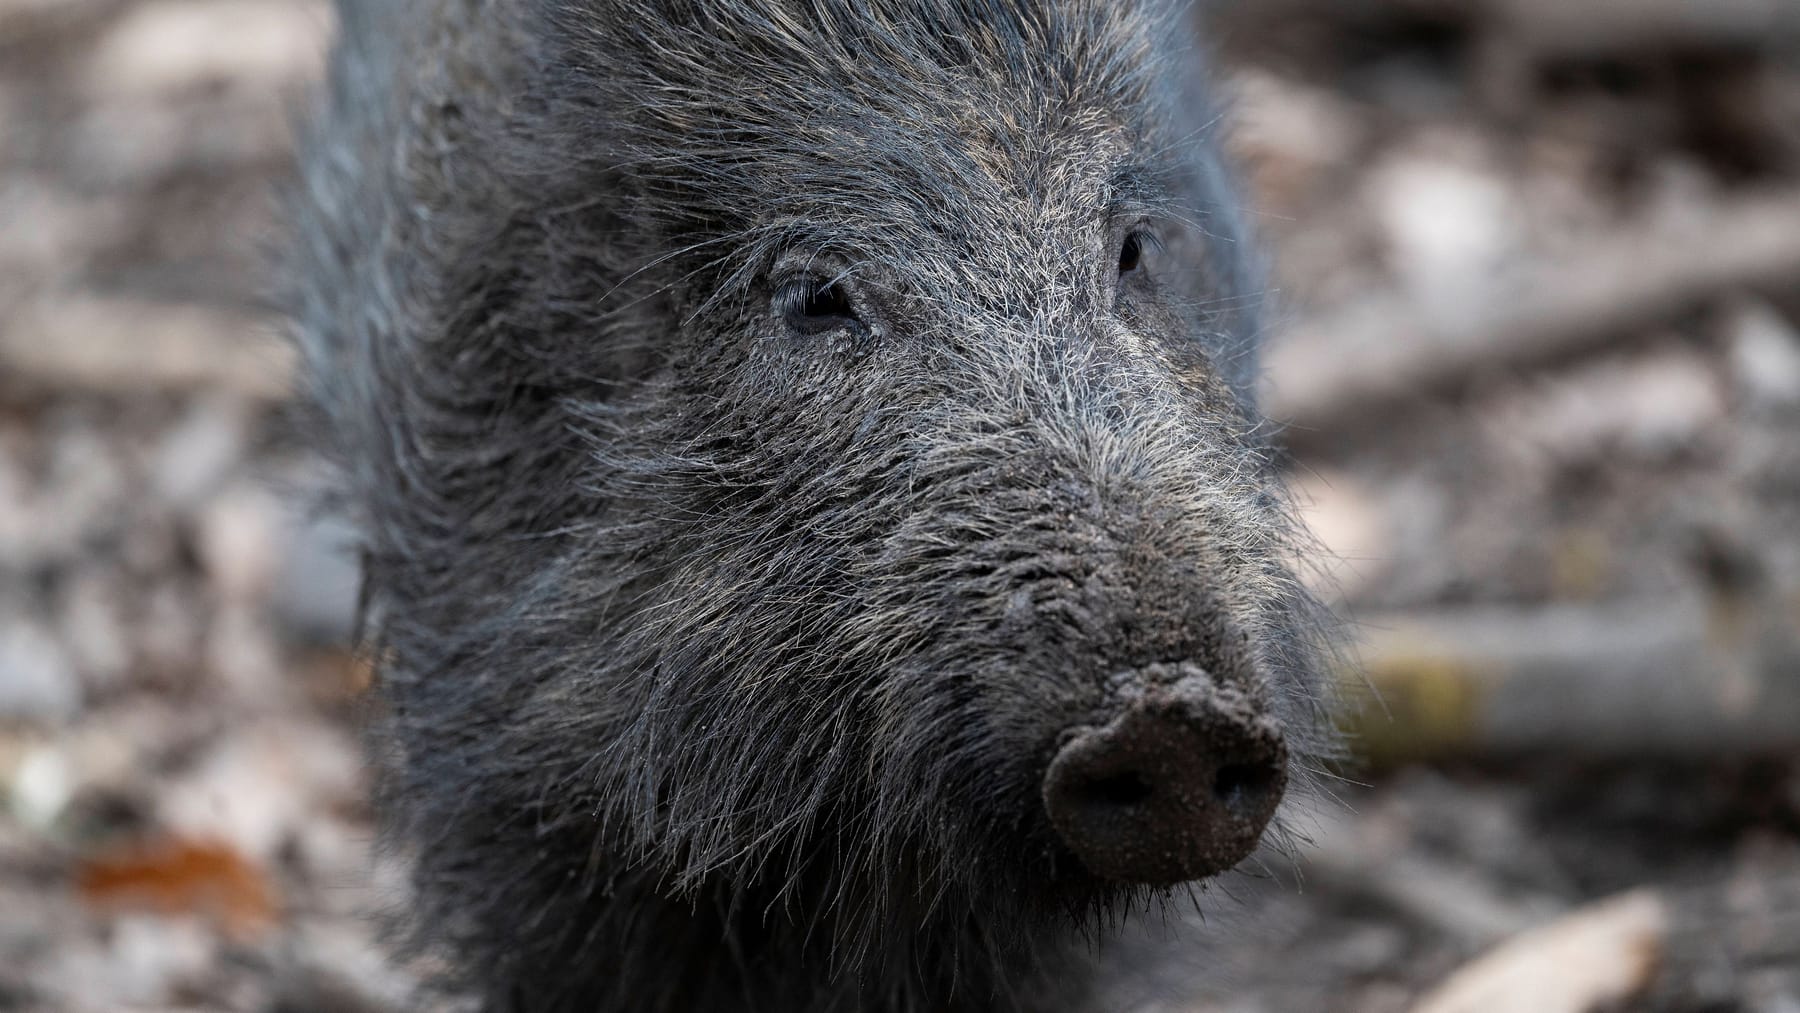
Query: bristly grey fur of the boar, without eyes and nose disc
[{"x": 721, "y": 663}]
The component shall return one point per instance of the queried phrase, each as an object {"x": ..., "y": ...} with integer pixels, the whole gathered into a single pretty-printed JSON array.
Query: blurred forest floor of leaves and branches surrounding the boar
[{"x": 1538, "y": 345}]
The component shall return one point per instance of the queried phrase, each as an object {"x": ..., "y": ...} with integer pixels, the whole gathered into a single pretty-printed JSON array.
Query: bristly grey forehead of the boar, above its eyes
[{"x": 901, "y": 134}]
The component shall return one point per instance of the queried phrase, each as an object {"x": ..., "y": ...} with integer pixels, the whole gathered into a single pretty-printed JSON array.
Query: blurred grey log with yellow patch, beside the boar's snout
[{"x": 1637, "y": 679}]
